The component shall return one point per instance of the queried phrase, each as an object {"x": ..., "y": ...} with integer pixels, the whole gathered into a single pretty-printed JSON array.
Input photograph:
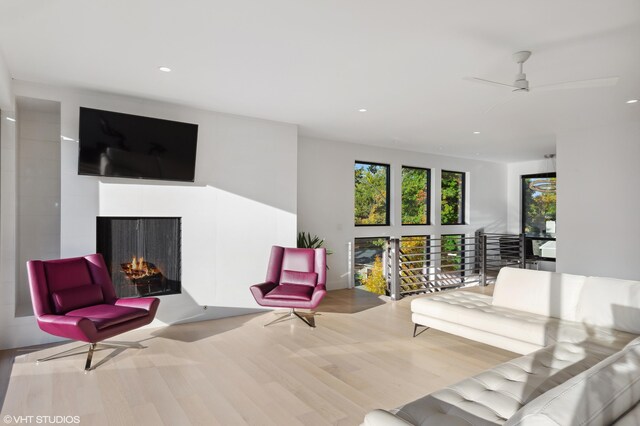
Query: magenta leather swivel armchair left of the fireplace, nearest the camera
[{"x": 74, "y": 298}]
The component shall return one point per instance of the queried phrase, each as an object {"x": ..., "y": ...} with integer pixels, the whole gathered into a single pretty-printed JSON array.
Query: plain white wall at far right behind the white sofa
[{"x": 598, "y": 227}]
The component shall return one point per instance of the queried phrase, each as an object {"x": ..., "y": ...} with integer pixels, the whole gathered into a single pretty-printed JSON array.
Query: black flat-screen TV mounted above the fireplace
[{"x": 124, "y": 145}]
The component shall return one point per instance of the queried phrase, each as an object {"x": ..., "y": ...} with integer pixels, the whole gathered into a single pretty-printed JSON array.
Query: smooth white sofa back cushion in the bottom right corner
[{"x": 597, "y": 396}]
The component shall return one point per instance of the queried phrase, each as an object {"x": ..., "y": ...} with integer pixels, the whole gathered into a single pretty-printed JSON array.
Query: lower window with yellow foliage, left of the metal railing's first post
[{"x": 369, "y": 258}]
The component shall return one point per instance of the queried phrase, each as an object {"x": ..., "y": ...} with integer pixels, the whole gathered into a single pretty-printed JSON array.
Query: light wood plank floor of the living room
[{"x": 234, "y": 371}]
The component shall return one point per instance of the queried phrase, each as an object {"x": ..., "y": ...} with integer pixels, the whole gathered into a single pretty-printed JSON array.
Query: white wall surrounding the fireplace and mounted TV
[{"x": 242, "y": 202}]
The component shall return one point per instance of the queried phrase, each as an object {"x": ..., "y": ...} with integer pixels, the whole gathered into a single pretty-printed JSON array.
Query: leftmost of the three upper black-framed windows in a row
[{"x": 371, "y": 194}]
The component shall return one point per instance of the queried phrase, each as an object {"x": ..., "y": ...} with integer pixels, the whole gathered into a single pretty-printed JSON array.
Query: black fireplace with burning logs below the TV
[{"x": 141, "y": 253}]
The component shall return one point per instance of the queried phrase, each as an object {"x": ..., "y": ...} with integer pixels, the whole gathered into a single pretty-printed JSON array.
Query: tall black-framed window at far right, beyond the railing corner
[{"x": 539, "y": 214}]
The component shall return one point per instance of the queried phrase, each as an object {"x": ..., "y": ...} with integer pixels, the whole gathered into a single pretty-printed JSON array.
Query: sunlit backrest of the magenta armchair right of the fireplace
[{"x": 284, "y": 262}]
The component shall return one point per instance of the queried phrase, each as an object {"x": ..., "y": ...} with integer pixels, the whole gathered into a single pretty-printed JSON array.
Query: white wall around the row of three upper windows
[{"x": 326, "y": 197}]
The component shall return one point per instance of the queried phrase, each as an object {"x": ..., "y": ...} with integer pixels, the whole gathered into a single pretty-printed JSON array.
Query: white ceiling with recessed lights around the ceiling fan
[{"x": 316, "y": 62}]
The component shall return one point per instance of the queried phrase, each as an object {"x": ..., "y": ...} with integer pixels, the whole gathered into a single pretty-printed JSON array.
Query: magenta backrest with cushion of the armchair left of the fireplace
[{"x": 58, "y": 286}]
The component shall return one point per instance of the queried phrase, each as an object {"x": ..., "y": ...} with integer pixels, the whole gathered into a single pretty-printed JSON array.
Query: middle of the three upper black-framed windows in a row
[{"x": 415, "y": 196}]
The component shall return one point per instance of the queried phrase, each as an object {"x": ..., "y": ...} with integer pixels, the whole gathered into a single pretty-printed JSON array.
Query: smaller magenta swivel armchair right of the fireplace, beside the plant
[{"x": 296, "y": 279}]
